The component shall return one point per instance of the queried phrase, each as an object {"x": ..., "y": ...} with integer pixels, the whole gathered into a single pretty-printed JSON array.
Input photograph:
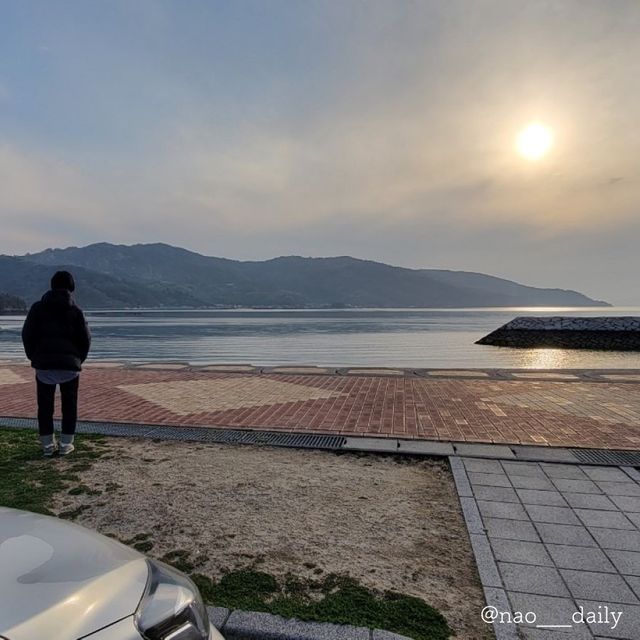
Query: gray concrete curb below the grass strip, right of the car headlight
[{"x": 255, "y": 625}]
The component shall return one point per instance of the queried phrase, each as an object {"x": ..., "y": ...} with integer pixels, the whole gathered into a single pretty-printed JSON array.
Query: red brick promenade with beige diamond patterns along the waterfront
[{"x": 451, "y": 406}]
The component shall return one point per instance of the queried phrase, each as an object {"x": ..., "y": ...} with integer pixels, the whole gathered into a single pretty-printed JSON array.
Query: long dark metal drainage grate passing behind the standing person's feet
[{"x": 195, "y": 434}]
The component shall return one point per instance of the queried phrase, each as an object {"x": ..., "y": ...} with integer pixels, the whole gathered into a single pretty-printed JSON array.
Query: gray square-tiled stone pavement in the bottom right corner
[{"x": 557, "y": 541}]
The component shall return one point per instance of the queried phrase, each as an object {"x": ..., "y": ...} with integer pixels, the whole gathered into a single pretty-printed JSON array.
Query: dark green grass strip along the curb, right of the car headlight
[{"x": 337, "y": 599}]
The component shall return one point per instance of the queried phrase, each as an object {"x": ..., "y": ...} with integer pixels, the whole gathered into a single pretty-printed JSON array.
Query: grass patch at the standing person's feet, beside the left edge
[{"x": 29, "y": 481}]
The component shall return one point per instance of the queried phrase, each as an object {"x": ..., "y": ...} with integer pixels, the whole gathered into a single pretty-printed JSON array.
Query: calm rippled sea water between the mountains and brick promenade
[{"x": 398, "y": 337}]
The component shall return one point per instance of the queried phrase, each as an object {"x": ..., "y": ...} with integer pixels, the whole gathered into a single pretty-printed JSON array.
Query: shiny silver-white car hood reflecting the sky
[{"x": 60, "y": 581}]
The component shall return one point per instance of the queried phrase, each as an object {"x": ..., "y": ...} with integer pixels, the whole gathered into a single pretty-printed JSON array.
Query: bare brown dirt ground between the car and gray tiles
[{"x": 390, "y": 522}]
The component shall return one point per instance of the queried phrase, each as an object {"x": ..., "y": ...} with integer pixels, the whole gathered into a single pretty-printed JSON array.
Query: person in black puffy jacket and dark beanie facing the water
[{"x": 57, "y": 339}]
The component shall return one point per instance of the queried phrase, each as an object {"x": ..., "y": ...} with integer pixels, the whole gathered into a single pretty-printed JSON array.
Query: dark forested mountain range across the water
[{"x": 163, "y": 276}]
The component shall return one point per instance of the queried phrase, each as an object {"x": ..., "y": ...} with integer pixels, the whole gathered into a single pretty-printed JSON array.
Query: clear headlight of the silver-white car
[{"x": 171, "y": 607}]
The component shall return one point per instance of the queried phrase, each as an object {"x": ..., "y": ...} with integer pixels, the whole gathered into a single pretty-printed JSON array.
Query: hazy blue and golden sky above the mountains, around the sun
[{"x": 381, "y": 129}]
